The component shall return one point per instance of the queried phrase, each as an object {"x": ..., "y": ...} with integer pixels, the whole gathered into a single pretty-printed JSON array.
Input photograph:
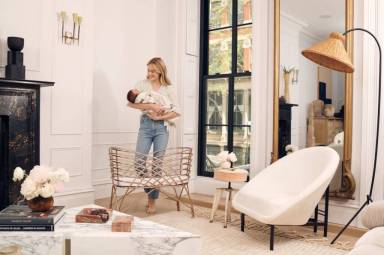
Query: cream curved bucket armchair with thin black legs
[{"x": 288, "y": 191}]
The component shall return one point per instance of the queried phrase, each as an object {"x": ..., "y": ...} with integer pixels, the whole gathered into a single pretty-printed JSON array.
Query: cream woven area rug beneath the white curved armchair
[{"x": 255, "y": 240}]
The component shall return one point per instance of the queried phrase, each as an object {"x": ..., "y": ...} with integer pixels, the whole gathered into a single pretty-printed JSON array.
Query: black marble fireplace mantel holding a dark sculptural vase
[{"x": 20, "y": 127}]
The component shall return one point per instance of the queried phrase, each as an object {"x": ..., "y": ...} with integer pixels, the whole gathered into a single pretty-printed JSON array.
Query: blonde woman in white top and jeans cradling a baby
[{"x": 153, "y": 126}]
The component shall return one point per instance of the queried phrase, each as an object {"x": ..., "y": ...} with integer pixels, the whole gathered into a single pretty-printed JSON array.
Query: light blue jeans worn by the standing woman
[{"x": 156, "y": 133}]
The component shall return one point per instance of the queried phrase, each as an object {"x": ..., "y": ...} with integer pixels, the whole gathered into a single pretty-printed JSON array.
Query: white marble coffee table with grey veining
[{"x": 146, "y": 238}]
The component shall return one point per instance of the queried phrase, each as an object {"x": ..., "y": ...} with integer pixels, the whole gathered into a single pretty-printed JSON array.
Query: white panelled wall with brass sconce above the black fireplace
[{"x": 66, "y": 107}]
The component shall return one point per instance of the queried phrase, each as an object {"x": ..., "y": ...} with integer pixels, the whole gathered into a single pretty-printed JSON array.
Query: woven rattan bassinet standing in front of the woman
[{"x": 131, "y": 170}]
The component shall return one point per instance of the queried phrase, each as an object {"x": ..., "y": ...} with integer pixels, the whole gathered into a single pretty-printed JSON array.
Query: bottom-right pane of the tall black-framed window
[{"x": 241, "y": 146}]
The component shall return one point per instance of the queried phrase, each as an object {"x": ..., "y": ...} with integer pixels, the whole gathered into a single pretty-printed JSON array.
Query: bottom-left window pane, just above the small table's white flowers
[{"x": 216, "y": 141}]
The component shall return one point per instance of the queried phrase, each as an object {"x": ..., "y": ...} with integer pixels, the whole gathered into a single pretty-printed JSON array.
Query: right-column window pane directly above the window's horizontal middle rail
[{"x": 244, "y": 49}]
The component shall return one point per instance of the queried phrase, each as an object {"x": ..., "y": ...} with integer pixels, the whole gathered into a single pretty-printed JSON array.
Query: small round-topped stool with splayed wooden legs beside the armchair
[{"x": 226, "y": 175}]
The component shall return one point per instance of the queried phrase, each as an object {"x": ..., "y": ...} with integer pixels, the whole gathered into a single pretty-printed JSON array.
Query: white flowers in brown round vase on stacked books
[{"x": 39, "y": 186}]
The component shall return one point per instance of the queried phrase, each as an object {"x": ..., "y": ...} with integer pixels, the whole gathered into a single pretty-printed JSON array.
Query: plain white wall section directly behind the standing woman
[{"x": 127, "y": 35}]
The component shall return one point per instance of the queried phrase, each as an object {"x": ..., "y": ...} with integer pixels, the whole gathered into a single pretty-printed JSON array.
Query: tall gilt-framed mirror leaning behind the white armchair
[{"x": 312, "y": 104}]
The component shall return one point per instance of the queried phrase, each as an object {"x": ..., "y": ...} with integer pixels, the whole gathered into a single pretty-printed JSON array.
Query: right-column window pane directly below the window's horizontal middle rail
[{"x": 242, "y": 102}]
